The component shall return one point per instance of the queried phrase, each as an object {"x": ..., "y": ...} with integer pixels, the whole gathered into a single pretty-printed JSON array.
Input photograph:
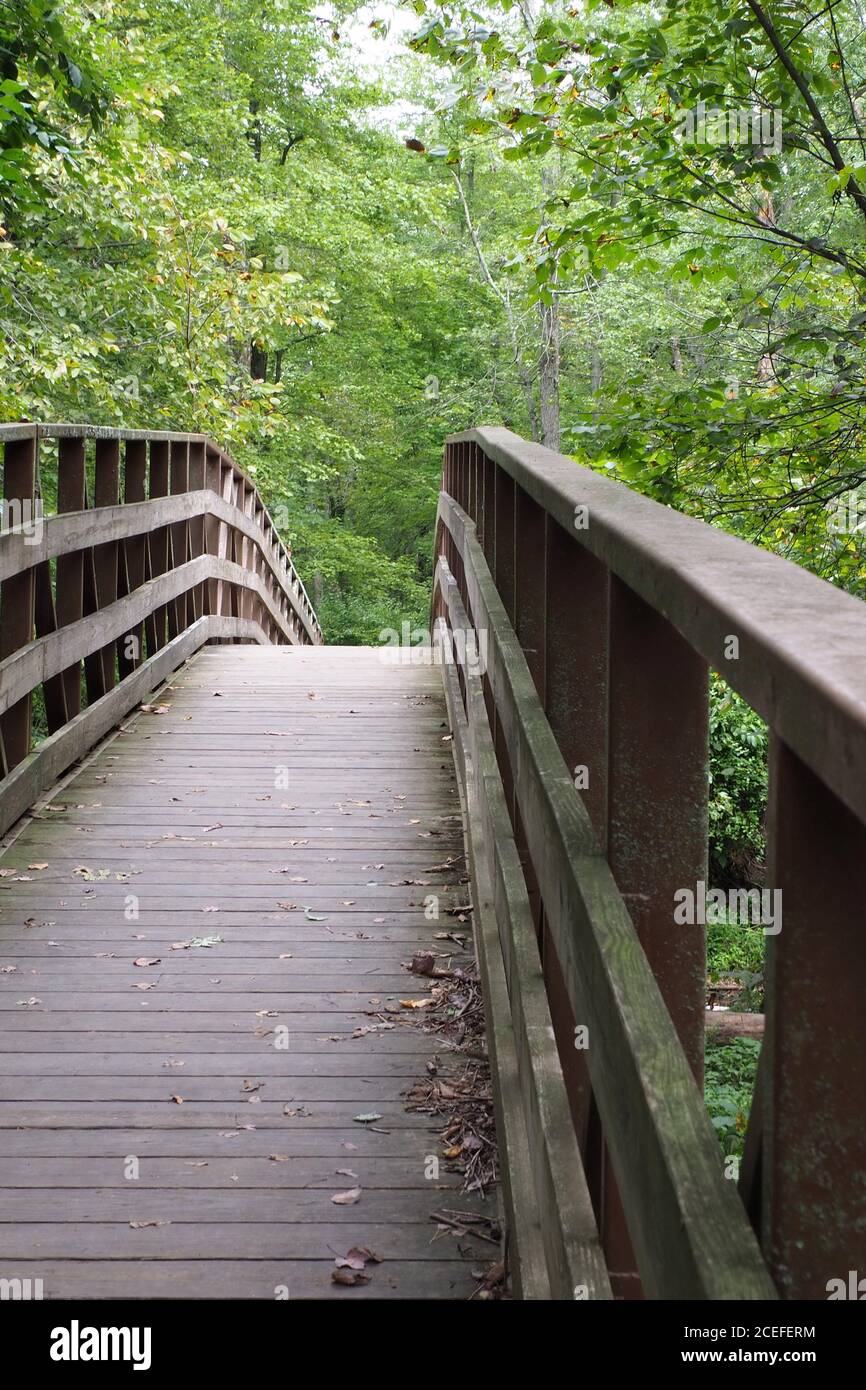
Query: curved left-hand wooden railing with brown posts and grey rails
[{"x": 159, "y": 544}]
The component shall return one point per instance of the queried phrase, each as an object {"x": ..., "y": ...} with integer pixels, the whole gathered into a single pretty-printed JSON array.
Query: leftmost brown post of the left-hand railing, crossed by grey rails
[{"x": 17, "y": 594}]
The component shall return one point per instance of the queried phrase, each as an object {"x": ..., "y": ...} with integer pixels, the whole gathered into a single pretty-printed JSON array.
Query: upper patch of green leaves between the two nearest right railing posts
[{"x": 739, "y": 787}]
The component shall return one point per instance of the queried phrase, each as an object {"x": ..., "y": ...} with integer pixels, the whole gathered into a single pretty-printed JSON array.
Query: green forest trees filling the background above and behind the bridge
[{"x": 329, "y": 236}]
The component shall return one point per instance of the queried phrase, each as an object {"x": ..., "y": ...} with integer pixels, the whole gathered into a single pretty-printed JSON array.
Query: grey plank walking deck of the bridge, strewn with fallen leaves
[{"x": 286, "y": 801}]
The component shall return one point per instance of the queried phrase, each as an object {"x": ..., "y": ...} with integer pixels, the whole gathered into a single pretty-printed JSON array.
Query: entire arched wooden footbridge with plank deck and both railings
[{"x": 230, "y": 842}]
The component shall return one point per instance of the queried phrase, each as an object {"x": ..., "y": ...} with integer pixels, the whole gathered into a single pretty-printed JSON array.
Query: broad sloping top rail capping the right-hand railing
[{"x": 803, "y": 643}]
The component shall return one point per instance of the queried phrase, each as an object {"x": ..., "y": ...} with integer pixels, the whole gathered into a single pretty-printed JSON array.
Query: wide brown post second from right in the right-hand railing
[{"x": 657, "y": 836}]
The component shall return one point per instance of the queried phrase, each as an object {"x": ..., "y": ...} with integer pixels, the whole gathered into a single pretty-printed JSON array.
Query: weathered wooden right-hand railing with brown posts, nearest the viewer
[{"x": 583, "y": 728}]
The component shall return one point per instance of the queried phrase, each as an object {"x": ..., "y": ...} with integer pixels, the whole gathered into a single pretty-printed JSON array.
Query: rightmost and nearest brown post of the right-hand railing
[{"x": 814, "y": 1166}]
